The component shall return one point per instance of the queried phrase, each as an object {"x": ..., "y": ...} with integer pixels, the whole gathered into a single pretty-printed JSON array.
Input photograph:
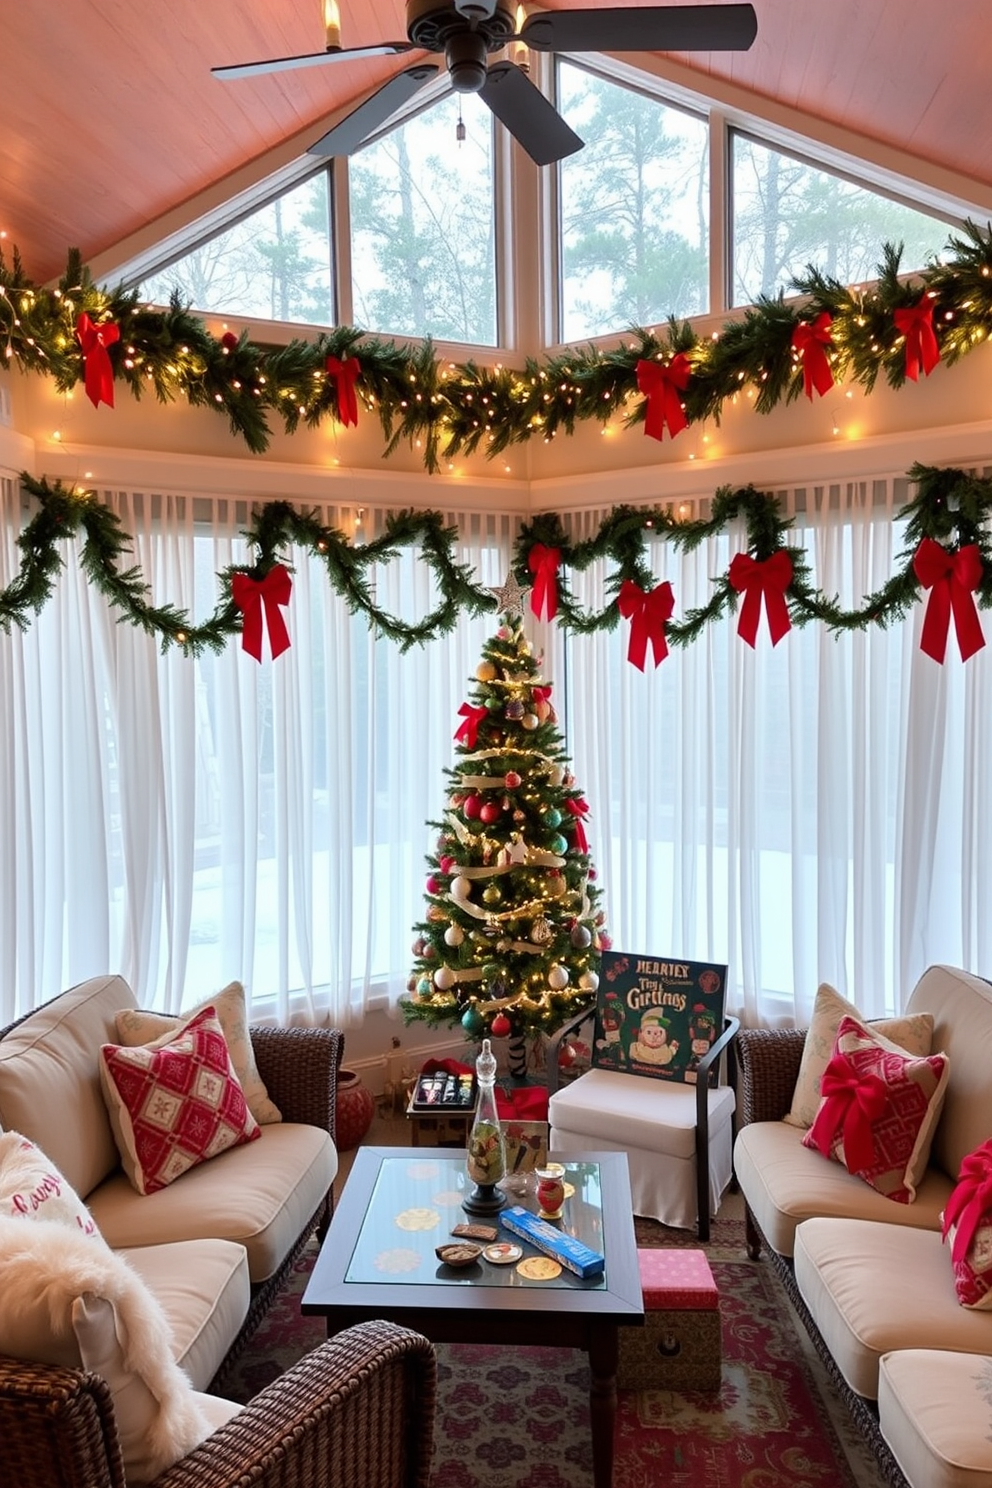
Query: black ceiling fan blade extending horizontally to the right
[{"x": 655, "y": 29}]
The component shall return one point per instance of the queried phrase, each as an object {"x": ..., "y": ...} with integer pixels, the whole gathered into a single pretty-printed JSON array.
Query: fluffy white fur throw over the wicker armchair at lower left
[{"x": 44, "y": 1270}]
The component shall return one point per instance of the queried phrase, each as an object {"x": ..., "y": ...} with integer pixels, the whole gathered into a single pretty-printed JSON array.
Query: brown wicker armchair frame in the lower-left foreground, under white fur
[{"x": 356, "y": 1413}]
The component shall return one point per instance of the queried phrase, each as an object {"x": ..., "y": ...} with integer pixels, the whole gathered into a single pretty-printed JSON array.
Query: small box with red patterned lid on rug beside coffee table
[{"x": 679, "y": 1347}]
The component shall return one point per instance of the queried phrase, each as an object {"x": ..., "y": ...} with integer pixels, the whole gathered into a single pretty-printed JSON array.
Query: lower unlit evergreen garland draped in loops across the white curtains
[{"x": 951, "y": 508}]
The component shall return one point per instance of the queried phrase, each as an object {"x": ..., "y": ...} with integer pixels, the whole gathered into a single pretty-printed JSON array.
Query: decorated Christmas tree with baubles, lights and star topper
[{"x": 512, "y": 938}]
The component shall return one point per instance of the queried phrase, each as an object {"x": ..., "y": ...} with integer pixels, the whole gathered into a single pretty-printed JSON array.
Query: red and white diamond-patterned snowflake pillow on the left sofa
[{"x": 175, "y": 1106}]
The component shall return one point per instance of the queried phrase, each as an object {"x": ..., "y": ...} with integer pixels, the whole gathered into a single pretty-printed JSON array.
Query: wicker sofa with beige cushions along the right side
[{"x": 871, "y": 1277}]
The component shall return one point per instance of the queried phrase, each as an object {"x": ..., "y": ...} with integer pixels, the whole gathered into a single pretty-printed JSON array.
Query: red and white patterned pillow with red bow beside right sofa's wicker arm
[{"x": 880, "y": 1111}]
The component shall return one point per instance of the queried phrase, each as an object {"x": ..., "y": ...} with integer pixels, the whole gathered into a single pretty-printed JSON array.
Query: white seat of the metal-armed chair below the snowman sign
[{"x": 636, "y": 1112}]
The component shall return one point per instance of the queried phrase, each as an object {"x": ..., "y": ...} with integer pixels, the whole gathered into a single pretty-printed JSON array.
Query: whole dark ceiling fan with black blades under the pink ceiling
[{"x": 466, "y": 32}]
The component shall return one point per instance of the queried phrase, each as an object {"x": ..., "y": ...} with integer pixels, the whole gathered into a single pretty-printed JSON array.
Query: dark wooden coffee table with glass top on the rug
[{"x": 379, "y": 1263}]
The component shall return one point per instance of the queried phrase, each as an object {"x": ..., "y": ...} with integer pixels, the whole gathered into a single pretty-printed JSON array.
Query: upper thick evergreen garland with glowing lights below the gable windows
[{"x": 448, "y": 408}]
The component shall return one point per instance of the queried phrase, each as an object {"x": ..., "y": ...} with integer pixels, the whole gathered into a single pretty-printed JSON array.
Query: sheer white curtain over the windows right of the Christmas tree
[{"x": 816, "y": 812}]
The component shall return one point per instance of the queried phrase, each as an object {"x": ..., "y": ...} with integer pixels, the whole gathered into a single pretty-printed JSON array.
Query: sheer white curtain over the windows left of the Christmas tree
[{"x": 193, "y": 822}]
